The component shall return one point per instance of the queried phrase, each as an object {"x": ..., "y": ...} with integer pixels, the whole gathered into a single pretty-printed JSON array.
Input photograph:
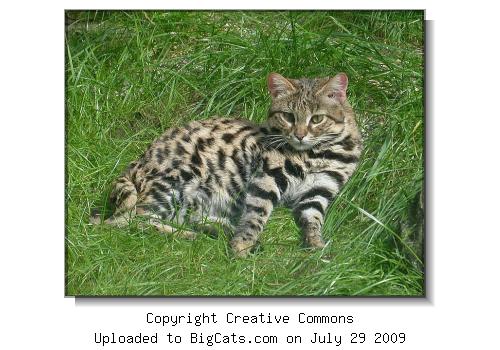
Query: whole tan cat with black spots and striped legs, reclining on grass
[{"x": 232, "y": 172}]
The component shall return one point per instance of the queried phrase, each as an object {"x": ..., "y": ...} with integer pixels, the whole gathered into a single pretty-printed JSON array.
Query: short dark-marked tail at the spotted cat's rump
[{"x": 123, "y": 198}]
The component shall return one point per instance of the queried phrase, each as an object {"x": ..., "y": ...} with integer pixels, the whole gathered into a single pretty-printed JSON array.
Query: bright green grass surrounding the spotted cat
[{"x": 132, "y": 75}]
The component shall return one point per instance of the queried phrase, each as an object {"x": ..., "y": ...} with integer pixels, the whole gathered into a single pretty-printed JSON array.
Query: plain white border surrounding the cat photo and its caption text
[{"x": 462, "y": 307}]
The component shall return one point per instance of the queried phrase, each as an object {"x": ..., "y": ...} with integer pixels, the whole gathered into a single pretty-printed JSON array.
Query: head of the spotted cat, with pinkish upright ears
[{"x": 307, "y": 112}]
